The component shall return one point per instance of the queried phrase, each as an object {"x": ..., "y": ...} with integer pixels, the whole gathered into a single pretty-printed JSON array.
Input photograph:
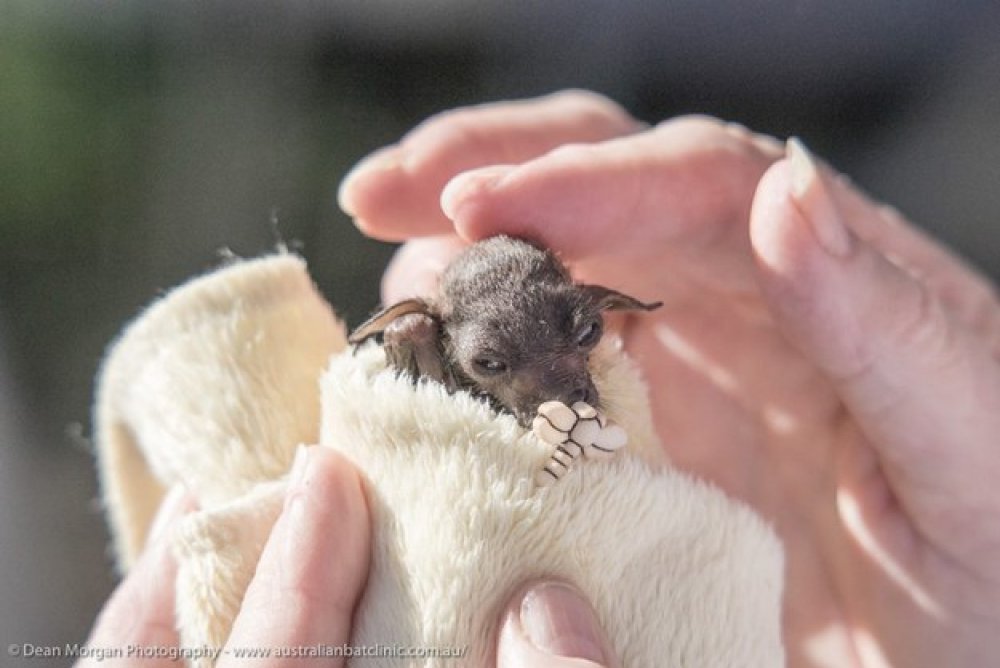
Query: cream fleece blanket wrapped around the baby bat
[{"x": 216, "y": 384}]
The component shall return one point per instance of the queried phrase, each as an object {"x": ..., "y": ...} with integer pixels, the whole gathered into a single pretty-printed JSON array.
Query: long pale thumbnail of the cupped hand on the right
[{"x": 812, "y": 194}]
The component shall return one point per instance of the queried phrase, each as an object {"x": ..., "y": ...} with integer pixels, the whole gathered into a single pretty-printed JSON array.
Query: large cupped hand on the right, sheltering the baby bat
[{"x": 816, "y": 357}]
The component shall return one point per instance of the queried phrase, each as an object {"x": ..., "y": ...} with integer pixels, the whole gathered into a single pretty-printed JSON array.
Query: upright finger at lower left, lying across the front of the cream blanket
[{"x": 314, "y": 566}]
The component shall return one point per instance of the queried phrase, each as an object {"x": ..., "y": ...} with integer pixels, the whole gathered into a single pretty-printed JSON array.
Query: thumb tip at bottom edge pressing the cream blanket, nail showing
[{"x": 550, "y": 624}]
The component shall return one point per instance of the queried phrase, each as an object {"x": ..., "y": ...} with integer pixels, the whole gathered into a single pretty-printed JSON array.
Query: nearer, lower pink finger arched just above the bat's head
[{"x": 690, "y": 180}]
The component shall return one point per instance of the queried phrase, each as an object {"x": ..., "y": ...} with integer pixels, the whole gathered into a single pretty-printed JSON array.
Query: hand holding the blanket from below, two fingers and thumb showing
[{"x": 308, "y": 582}]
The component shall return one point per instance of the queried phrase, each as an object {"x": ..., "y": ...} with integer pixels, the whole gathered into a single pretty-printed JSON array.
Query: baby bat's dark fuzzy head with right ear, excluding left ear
[{"x": 518, "y": 329}]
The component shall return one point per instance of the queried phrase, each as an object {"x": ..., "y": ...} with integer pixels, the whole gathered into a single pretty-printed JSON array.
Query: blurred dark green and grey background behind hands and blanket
[{"x": 138, "y": 138}]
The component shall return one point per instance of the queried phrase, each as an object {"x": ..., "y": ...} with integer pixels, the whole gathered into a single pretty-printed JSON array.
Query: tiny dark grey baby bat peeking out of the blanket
[{"x": 508, "y": 324}]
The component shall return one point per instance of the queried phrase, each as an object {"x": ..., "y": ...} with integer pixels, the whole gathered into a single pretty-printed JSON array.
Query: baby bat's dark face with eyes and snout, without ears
[{"x": 524, "y": 352}]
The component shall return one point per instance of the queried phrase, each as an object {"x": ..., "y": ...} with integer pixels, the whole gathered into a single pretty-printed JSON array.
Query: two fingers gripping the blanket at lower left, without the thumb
[{"x": 296, "y": 599}]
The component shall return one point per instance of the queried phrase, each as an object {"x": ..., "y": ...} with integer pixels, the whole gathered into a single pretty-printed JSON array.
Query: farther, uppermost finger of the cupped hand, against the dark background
[{"x": 393, "y": 194}]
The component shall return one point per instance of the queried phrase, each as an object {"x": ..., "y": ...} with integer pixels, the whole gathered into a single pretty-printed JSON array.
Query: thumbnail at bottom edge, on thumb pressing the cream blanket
[{"x": 559, "y": 622}]
